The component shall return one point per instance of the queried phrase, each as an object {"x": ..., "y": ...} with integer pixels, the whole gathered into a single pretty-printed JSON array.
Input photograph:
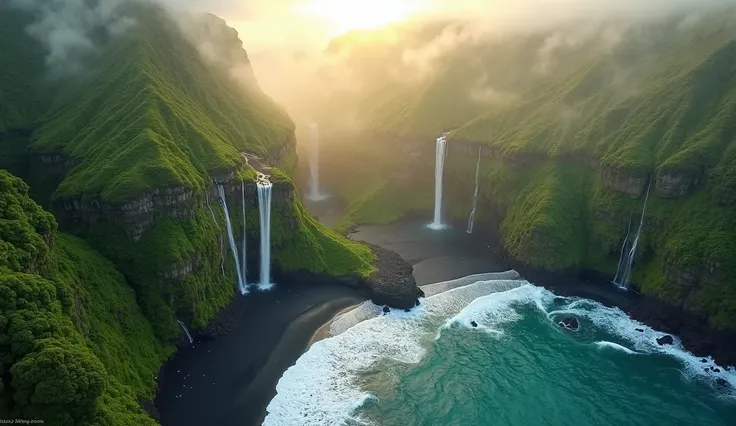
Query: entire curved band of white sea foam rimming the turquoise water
[{"x": 321, "y": 389}]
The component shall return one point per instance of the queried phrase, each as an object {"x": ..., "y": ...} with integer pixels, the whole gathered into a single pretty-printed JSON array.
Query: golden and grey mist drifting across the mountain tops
[{"x": 298, "y": 63}]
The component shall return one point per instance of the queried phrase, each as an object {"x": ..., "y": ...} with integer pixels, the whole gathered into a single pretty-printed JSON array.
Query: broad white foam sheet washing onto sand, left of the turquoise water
[{"x": 320, "y": 388}]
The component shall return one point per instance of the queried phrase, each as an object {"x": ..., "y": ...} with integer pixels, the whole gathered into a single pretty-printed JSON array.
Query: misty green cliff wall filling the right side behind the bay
[{"x": 572, "y": 126}]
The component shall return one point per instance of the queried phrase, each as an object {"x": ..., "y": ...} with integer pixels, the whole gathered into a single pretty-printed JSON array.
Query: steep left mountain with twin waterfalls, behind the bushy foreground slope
[{"x": 130, "y": 153}]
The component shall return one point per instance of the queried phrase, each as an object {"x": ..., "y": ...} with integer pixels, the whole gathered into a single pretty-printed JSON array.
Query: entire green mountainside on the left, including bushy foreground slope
[{"x": 128, "y": 156}]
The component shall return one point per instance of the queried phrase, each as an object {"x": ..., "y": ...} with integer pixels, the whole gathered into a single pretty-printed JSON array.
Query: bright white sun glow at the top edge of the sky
[{"x": 346, "y": 15}]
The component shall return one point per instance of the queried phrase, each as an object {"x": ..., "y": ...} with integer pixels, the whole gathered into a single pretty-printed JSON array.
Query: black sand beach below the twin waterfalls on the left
[{"x": 231, "y": 380}]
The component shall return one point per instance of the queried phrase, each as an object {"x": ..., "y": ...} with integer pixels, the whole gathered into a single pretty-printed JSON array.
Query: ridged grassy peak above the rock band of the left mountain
[{"x": 154, "y": 114}]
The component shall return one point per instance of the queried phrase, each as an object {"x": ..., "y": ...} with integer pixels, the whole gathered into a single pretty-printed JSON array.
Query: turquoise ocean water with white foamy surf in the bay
[{"x": 516, "y": 366}]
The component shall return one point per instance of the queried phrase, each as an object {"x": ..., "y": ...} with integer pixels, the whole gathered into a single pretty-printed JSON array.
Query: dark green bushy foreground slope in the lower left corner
[{"x": 75, "y": 348}]
